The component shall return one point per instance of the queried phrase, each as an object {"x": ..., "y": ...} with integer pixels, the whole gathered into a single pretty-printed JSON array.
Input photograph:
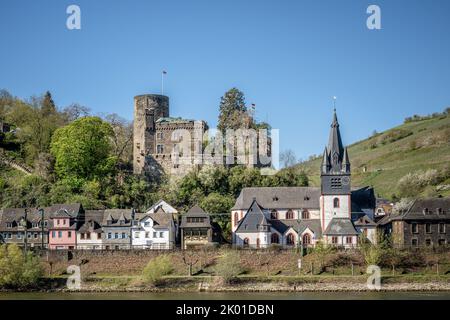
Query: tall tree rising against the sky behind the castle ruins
[{"x": 232, "y": 111}]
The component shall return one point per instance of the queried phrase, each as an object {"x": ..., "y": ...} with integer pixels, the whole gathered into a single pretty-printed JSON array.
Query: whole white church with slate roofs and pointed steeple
[{"x": 335, "y": 213}]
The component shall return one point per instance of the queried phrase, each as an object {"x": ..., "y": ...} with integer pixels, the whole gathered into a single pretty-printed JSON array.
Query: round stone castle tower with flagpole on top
[{"x": 148, "y": 108}]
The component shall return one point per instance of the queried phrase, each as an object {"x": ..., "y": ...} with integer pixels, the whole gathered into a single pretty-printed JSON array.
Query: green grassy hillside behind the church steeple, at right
[{"x": 420, "y": 146}]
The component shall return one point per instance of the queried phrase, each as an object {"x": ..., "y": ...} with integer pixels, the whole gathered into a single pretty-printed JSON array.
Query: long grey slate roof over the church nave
[{"x": 279, "y": 197}]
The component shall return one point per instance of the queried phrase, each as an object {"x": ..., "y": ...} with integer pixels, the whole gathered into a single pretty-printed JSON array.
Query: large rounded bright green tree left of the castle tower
[{"x": 83, "y": 149}]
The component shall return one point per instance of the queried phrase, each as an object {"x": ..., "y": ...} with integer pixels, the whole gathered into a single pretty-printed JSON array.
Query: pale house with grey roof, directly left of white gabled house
[{"x": 116, "y": 227}]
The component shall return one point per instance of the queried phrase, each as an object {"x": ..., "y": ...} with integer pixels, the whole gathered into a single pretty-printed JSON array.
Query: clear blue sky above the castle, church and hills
[{"x": 288, "y": 57}]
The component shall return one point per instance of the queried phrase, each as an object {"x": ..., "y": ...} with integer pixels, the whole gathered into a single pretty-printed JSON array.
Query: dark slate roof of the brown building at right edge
[{"x": 422, "y": 209}]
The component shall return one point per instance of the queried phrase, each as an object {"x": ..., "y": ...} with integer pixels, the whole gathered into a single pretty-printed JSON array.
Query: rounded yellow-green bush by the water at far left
[{"x": 18, "y": 270}]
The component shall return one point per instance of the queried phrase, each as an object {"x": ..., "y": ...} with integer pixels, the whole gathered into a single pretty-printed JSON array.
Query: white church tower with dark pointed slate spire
[{"x": 335, "y": 200}]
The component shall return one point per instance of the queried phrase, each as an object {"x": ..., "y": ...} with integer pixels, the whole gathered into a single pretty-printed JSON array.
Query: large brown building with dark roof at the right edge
[{"x": 424, "y": 222}]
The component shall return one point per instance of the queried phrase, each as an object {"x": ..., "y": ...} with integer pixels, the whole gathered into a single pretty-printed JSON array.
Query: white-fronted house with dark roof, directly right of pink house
[{"x": 90, "y": 234}]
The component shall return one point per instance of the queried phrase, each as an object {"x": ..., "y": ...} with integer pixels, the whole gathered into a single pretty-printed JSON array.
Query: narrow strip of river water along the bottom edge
[{"x": 438, "y": 295}]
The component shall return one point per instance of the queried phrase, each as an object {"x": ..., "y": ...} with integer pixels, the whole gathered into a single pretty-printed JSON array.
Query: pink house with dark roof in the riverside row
[{"x": 62, "y": 233}]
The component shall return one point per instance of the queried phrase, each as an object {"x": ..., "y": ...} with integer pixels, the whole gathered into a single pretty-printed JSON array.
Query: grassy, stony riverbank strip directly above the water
[{"x": 250, "y": 284}]
